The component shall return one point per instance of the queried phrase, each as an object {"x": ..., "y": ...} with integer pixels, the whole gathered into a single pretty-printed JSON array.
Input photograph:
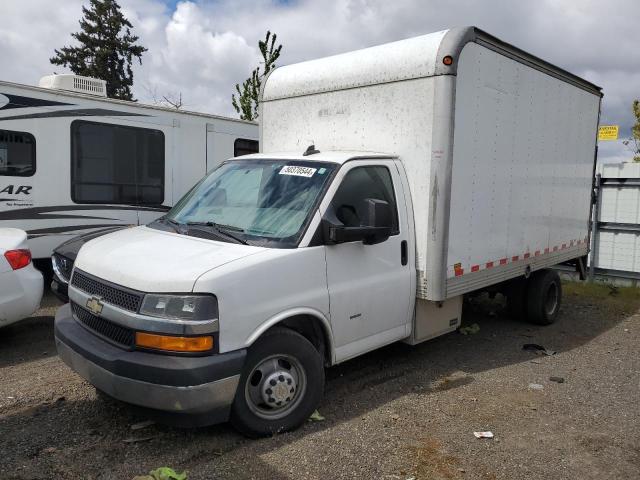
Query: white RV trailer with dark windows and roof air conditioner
[{"x": 72, "y": 160}]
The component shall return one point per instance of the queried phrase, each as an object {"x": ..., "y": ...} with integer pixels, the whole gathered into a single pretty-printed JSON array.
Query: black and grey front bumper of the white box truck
[{"x": 196, "y": 386}]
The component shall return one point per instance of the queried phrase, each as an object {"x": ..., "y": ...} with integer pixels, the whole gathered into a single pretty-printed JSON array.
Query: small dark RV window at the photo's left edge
[{"x": 17, "y": 154}]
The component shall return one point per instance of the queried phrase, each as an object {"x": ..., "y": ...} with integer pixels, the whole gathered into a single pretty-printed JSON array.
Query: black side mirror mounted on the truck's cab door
[{"x": 374, "y": 228}]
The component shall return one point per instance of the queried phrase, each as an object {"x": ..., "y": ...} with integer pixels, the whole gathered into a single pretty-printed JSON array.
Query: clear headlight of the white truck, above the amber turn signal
[{"x": 182, "y": 307}]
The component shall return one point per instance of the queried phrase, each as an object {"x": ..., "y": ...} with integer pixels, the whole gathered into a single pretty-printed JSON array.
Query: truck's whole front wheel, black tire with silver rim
[{"x": 281, "y": 385}]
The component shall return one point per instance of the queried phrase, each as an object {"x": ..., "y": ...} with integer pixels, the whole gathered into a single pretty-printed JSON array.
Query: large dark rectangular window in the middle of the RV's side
[{"x": 116, "y": 164}]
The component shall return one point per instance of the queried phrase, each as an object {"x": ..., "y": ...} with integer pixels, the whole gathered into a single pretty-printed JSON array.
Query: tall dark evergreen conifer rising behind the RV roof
[{"x": 106, "y": 48}]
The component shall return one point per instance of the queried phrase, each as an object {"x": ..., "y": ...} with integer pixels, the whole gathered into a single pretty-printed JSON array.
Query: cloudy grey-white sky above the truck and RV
[{"x": 202, "y": 48}]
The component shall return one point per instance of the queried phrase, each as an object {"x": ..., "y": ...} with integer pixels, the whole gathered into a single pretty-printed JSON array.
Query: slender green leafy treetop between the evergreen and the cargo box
[{"x": 246, "y": 103}]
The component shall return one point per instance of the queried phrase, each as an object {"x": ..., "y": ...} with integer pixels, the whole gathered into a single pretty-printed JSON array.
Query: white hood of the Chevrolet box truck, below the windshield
[{"x": 151, "y": 260}]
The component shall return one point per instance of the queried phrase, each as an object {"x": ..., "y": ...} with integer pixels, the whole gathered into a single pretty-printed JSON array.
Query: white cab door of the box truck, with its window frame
[{"x": 369, "y": 285}]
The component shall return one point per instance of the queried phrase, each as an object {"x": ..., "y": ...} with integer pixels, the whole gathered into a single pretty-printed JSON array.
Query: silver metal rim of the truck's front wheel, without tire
[{"x": 275, "y": 387}]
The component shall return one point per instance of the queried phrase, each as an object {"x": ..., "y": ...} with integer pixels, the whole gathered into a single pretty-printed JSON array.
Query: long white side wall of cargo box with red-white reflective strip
[{"x": 522, "y": 170}]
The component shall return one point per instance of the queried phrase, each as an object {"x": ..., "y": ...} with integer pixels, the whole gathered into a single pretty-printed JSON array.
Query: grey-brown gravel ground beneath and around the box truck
[{"x": 397, "y": 413}]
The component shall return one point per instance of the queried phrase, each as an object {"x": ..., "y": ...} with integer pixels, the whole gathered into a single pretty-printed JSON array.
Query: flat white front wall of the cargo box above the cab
[{"x": 393, "y": 118}]
